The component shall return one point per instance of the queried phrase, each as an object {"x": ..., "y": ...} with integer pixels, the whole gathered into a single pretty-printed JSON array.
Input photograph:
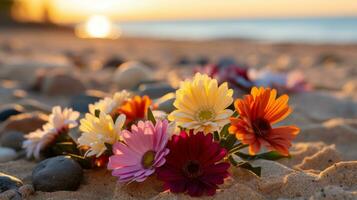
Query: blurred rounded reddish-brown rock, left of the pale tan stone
[{"x": 61, "y": 83}]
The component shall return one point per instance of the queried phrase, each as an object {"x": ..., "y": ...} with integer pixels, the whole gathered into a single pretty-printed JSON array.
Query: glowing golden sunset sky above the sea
[{"x": 73, "y": 11}]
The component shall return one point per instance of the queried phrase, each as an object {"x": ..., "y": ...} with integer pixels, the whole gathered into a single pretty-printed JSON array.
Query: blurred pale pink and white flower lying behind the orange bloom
[{"x": 289, "y": 82}]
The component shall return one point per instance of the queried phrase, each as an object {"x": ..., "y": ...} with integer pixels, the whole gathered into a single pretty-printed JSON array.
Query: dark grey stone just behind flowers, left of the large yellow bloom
[{"x": 155, "y": 90}]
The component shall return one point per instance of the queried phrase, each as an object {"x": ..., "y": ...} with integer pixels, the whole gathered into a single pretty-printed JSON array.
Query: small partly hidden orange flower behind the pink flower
[{"x": 135, "y": 108}]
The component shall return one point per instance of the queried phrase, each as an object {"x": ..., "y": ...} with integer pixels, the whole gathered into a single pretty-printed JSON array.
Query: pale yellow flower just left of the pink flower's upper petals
[{"x": 99, "y": 131}]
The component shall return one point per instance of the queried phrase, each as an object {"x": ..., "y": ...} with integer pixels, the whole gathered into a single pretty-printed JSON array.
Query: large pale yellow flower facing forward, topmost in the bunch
[{"x": 201, "y": 104}]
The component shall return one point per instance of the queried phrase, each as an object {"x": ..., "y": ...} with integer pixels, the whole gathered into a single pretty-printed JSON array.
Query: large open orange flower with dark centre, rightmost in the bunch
[{"x": 257, "y": 113}]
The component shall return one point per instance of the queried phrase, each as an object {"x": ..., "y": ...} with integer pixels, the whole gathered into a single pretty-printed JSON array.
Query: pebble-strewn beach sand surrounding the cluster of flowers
[{"x": 324, "y": 163}]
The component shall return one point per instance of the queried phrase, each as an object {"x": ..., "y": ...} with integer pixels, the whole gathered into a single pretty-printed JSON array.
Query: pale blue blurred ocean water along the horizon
[{"x": 310, "y": 30}]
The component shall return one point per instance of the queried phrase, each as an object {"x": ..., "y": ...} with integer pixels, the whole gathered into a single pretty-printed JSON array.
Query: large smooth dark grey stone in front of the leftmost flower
[{"x": 57, "y": 173}]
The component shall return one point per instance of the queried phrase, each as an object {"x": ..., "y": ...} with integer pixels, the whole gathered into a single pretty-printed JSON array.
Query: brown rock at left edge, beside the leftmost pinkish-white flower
[{"x": 25, "y": 122}]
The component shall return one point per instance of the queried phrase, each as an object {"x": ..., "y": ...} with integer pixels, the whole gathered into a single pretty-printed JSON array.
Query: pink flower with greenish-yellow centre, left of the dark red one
[{"x": 143, "y": 150}]
